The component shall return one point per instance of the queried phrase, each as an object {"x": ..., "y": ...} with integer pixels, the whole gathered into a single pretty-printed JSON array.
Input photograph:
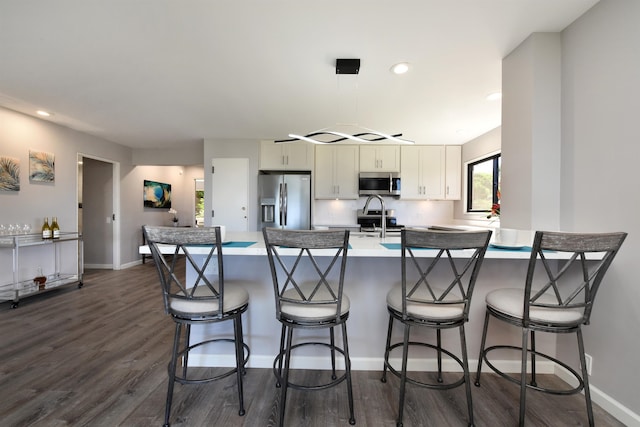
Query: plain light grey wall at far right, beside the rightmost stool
[{"x": 600, "y": 152}]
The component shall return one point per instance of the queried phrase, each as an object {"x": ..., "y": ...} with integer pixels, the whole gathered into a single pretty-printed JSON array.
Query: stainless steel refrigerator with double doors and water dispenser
[{"x": 284, "y": 199}]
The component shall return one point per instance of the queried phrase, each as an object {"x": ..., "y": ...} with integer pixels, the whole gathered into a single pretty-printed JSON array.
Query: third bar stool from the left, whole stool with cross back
[{"x": 435, "y": 292}]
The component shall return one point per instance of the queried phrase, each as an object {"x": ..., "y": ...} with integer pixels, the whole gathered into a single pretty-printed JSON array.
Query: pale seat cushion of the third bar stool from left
[{"x": 427, "y": 309}]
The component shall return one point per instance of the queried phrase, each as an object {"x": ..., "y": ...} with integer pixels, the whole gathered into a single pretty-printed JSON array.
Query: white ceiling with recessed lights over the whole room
[{"x": 165, "y": 73}]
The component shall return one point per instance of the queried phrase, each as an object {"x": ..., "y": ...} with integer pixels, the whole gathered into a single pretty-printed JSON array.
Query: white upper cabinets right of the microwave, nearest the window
[{"x": 431, "y": 172}]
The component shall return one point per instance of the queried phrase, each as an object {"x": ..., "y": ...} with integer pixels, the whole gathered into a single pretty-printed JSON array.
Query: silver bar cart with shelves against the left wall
[{"x": 58, "y": 270}]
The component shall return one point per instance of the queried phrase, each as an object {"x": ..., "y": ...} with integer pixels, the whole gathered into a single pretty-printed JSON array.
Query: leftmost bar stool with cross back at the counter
[{"x": 194, "y": 293}]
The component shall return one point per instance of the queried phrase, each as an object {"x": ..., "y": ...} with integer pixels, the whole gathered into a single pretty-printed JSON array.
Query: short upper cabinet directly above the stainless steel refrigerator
[{"x": 286, "y": 156}]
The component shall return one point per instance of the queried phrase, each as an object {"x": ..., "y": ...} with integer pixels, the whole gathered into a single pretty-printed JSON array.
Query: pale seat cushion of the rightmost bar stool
[{"x": 511, "y": 302}]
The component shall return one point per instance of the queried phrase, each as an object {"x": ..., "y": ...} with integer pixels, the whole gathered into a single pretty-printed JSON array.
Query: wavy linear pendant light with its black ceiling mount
[{"x": 360, "y": 135}]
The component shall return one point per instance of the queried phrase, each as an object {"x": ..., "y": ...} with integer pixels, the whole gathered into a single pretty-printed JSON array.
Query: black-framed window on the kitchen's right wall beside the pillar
[{"x": 483, "y": 184}]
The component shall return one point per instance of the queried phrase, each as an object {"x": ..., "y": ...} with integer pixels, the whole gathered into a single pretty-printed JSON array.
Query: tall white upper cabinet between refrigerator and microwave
[{"x": 336, "y": 172}]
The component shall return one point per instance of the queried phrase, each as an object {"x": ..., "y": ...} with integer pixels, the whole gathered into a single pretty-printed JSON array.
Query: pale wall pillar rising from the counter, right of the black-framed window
[{"x": 530, "y": 197}]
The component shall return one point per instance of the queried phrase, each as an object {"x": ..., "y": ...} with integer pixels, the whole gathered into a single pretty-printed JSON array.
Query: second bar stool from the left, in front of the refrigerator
[{"x": 308, "y": 267}]
